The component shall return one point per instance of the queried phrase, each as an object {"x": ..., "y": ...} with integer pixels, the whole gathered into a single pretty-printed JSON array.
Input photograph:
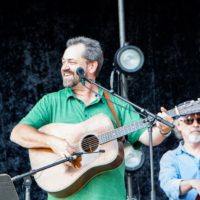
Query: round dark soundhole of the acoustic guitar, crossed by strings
[{"x": 90, "y": 143}]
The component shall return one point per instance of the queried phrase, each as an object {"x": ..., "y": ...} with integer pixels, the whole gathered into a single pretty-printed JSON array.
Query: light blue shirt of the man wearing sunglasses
[{"x": 177, "y": 165}]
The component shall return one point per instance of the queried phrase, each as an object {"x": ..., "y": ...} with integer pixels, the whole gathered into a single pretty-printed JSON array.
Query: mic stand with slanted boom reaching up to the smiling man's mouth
[{"x": 150, "y": 116}]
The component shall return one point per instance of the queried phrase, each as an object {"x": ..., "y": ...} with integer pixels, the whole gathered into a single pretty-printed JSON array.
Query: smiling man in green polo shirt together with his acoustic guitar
[{"x": 72, "y": 120}]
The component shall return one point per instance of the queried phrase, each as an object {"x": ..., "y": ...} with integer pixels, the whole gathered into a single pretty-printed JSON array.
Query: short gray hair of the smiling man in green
[{"x": 93, "y": 51}]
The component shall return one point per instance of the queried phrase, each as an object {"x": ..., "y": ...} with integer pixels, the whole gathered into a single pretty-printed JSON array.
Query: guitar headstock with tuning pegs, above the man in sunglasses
[{"x": 188, "y": 107}]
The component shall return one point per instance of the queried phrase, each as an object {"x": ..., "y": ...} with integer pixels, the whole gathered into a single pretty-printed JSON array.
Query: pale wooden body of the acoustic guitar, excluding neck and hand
[{"x": 62, "y": 180}]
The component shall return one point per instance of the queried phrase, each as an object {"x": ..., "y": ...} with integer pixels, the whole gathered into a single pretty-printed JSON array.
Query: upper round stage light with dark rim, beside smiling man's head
[{"x": 129, "y": 58}]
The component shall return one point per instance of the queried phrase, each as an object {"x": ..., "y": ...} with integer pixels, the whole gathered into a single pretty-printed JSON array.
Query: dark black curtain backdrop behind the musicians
[{"x": 32, "y": 40}]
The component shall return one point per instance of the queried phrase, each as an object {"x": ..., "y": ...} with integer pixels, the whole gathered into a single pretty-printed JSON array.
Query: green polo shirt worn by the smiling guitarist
[{"x": 64, "y": 107}]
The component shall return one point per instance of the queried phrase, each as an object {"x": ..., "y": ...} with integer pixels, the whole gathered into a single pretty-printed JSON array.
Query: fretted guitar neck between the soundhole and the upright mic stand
[{"x": 121, "y": 131}]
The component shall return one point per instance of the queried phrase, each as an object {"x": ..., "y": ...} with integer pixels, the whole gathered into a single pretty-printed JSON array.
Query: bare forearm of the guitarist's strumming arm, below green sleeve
[{"x": 29, "y": 137}]
